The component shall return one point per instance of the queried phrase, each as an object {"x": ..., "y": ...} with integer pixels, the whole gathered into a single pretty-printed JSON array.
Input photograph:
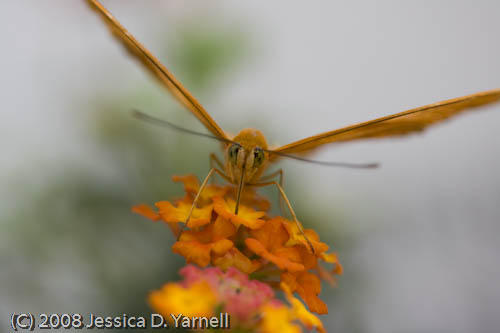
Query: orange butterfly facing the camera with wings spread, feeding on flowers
[{"x": 247, "y": 155}]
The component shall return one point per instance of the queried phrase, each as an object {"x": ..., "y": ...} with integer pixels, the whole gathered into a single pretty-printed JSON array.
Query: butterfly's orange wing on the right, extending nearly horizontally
[{"x": 398, "y": 124}]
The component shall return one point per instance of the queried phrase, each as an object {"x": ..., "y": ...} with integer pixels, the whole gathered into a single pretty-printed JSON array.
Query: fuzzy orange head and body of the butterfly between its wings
[{"x": 247, "y": 155}]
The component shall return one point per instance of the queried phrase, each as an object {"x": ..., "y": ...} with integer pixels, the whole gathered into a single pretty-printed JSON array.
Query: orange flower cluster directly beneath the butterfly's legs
[{"x": 270, "y": 249}]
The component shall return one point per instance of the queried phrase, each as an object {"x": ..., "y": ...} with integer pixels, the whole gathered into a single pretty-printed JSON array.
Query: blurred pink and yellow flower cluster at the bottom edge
[{"x": 209, "y": 292}]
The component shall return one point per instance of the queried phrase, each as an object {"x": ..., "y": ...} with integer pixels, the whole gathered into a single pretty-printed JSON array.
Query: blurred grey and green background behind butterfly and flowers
[{"x": 418, "y": 238}]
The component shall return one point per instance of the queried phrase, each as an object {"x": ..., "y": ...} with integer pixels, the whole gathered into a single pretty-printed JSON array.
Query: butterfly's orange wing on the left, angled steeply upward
[{"x": 157, "y": 69}]
